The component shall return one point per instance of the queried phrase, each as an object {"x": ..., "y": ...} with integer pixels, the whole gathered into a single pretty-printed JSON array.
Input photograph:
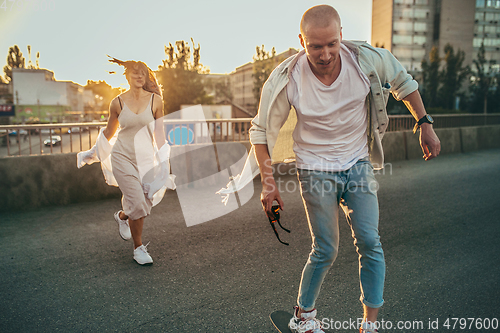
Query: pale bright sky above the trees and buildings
[{"x": 74, "y": 37}]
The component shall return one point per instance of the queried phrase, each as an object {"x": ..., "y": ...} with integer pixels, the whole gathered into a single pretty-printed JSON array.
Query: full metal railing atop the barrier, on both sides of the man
[{"x": 75, "y": 137}]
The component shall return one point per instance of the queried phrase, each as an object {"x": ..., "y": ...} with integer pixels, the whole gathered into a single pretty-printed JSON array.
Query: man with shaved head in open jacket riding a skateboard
[{"x": 339, "y": 90}]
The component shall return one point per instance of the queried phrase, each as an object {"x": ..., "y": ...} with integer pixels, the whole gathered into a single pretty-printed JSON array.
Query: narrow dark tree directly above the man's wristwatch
[{"x": 430, "y": 73}]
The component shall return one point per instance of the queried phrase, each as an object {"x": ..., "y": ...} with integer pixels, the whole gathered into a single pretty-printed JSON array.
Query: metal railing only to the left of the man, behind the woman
[{"x": 45, "y": 139}]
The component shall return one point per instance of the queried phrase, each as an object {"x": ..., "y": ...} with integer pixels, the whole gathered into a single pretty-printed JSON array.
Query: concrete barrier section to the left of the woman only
[{"x": 29, "y": 182}]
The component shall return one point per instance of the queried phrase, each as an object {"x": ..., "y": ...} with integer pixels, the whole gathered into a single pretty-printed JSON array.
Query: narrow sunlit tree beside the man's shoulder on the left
[{"x": 263, "y": 64}]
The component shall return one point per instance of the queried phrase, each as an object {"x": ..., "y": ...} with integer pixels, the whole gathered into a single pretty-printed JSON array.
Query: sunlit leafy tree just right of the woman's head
[{"x": 179, "y": 76}]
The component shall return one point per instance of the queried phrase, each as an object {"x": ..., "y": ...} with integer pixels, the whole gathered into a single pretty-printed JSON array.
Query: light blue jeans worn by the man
[{"x": 355, "y": 190}]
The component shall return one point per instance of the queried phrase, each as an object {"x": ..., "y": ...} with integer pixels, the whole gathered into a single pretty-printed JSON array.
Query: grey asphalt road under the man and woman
[{"x": 65, "y": 269}]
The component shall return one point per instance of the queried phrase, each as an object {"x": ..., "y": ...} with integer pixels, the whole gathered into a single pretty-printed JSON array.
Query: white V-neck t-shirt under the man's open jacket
[{"x": 330, "y": 134}]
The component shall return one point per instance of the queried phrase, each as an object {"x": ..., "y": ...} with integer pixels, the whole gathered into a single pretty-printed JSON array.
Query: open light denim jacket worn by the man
[{"x": 383, "y": 70}]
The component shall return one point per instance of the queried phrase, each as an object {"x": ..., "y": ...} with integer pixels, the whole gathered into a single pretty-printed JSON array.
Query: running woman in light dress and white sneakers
[{"x": 138, "y": 112}]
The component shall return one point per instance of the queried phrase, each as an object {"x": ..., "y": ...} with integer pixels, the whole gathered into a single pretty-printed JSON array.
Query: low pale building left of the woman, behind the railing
[{"x": 37, "y": 94}]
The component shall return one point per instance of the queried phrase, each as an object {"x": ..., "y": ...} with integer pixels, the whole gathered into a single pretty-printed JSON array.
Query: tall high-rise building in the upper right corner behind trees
[{"x": 410, "y": 28}]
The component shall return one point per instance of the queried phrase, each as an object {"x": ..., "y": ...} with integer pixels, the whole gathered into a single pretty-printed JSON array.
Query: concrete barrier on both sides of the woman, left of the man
[{"x": 30, "y": 182}]
